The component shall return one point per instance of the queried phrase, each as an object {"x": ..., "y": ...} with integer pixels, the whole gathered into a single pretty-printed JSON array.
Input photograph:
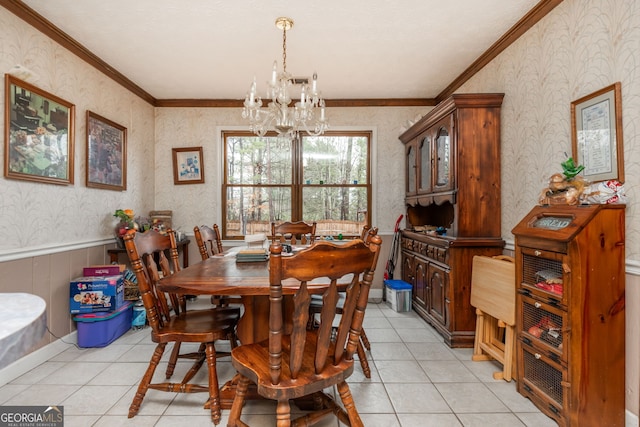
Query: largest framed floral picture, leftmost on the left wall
[{"x": 38, "y": 134}]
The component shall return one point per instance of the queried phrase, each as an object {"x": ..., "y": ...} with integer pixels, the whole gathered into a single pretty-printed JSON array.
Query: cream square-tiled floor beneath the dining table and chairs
[{"x": 417, "y": 381}]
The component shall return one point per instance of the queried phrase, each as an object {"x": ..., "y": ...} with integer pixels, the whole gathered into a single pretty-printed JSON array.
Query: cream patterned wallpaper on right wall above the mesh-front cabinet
[{"x": 581, "y": 47}]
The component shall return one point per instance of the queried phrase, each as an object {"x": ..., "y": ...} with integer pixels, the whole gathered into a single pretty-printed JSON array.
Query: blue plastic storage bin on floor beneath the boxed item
[{"x": 101, "y": 329}]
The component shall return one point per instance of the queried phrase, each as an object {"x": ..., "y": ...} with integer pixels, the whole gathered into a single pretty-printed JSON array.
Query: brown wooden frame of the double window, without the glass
[{"x": 297, "y": 183}]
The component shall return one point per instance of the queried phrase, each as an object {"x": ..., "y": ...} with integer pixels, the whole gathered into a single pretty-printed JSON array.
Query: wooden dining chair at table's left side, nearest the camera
[{"x": 153, "y": 256}]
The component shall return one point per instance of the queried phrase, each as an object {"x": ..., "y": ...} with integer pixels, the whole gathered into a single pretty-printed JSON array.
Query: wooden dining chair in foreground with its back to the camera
[{"x": 298, "y": 362}]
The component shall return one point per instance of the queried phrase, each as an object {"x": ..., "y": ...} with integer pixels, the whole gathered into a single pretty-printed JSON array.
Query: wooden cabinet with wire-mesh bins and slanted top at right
[{"x": 570, "y": 320}]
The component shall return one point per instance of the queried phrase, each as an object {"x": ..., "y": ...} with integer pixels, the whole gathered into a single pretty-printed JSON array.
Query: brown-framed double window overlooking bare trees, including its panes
[{"x": 324, "y": 178}]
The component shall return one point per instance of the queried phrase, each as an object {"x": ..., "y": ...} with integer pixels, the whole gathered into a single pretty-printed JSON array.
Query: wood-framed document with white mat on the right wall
[{"x": 596, "y": 122}]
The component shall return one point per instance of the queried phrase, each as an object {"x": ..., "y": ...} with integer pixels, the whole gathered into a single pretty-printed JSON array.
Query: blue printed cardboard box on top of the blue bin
[{"x": 90, "y": 294}]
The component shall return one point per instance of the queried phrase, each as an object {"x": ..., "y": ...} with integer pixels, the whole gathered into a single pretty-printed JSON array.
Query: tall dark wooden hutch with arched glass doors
[{"x": 453, "y": 208}]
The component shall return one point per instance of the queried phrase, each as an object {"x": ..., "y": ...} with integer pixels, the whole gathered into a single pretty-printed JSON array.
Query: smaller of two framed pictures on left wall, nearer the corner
[{"x": 106, "y": 153}]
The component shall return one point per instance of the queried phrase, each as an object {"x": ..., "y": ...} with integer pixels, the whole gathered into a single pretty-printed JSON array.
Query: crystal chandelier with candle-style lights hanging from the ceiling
[{"x": 308, "y": 114}]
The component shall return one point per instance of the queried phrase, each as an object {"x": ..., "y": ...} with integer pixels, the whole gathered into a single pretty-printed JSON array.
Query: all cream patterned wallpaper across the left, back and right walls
[{"x": 580, "y": 47}]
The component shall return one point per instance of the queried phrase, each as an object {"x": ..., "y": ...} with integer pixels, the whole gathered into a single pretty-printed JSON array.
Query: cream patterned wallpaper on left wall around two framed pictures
[{"x": 36, "y": 215}]
